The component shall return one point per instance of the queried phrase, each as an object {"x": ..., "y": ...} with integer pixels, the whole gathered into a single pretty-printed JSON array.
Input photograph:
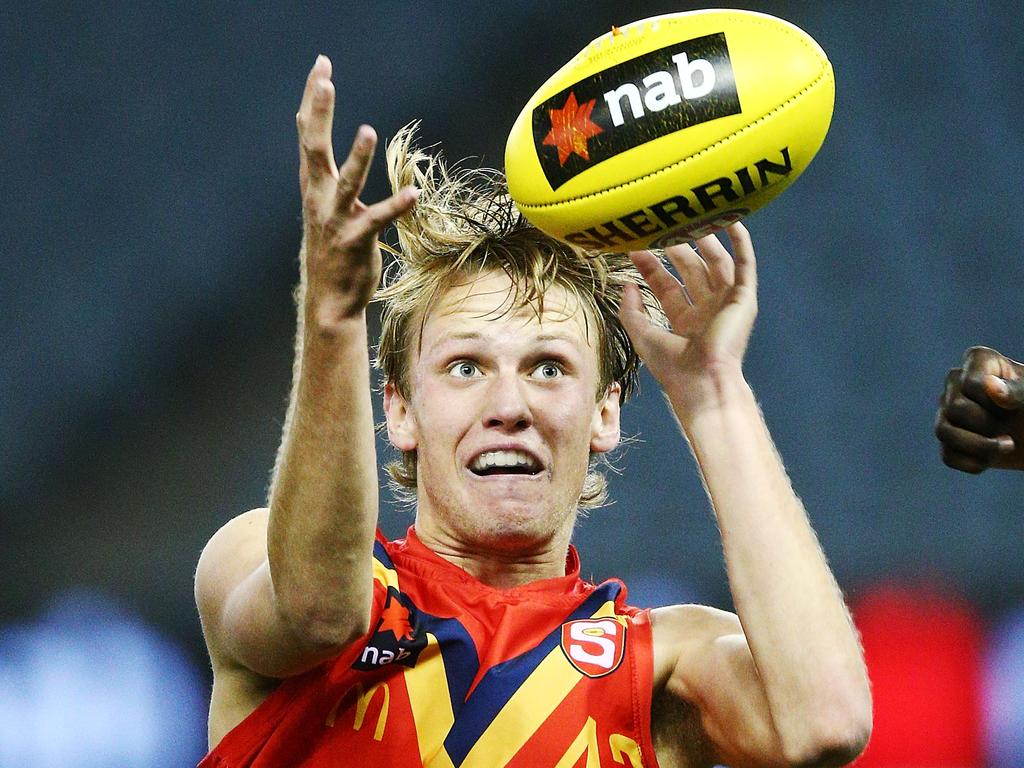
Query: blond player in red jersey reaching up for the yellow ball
[{"x": 474, "y": 642}]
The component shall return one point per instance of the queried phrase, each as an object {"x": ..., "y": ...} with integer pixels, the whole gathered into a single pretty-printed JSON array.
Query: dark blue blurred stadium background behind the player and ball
[{"x": 150, "y": 231}]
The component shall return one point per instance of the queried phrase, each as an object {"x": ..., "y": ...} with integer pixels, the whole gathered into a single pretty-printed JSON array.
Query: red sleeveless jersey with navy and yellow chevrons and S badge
[{"x": 455, "y": 674}]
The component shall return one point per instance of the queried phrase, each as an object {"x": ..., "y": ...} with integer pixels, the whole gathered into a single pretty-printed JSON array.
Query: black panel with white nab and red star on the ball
[{"x": 633, "y": 103}]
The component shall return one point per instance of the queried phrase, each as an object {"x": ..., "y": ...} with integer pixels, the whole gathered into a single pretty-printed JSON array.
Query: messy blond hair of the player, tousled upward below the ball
[{"x": 465, "y": 225}]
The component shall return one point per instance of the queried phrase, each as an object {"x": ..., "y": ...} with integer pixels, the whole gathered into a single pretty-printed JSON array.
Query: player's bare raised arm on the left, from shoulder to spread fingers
[{"x": 282, "y": 590}]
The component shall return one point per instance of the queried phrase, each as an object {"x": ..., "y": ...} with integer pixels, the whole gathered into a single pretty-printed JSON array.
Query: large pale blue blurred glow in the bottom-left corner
[{"x": 92, "y": 687}]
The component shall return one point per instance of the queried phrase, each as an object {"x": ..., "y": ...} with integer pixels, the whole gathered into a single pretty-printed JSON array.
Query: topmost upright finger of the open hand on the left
[{"x": 315, "y": 121}]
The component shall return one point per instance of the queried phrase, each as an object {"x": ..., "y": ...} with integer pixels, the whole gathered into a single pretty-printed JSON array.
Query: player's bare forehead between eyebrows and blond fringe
[{"x": 488, "y": 306}]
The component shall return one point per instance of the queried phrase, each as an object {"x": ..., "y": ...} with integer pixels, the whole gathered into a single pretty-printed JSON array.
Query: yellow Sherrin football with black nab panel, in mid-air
[{"x": 670, "y": 129}]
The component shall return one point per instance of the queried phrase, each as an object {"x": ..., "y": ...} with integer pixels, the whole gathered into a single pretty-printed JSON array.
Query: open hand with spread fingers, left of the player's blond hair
[{"x": 343, "y": 259}]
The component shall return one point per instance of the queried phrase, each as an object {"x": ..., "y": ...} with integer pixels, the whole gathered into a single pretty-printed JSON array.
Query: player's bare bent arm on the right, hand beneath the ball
[{"x": 787, "y": 685}]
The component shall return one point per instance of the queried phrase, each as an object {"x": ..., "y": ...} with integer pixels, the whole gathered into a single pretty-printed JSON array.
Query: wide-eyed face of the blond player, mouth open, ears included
[{"x": 503, "y": 413}]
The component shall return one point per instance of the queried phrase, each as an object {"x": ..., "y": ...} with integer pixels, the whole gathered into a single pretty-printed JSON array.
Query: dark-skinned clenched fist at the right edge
[{"x": 980, "y": 423}]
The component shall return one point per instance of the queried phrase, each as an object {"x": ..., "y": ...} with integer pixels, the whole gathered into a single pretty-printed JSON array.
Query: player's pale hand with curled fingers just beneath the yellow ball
[{"x": 711, "y": 312}]
